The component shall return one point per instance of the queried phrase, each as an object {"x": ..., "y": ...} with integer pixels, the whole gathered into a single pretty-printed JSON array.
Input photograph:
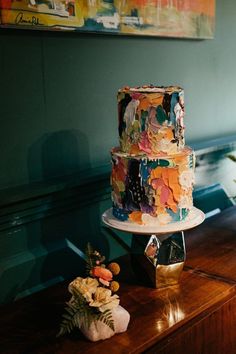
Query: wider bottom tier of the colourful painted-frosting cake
[{"x": 151, "y": 190}]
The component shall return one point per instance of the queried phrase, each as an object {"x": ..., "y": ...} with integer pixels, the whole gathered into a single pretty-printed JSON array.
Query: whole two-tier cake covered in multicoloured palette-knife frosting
[{"x": 152, "y": 170}]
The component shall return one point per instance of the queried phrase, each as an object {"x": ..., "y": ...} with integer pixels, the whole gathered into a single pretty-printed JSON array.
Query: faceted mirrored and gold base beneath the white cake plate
[{"x": 158, "y": 260}]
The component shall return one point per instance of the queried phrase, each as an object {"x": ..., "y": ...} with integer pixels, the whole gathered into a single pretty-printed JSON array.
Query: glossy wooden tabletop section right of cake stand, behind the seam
[{"x": 211, "y": 248}]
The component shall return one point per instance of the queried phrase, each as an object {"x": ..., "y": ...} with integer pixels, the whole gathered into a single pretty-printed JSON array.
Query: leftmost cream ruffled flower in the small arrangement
[{"x": 84, "y": 286}]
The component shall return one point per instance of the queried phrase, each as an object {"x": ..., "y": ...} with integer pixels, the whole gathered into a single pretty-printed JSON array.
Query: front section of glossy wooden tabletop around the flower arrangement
[{"x": 154, "y": 314}]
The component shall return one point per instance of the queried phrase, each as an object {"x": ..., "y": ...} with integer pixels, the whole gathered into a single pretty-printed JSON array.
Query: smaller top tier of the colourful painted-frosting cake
[{"x": 151, "y": 120}]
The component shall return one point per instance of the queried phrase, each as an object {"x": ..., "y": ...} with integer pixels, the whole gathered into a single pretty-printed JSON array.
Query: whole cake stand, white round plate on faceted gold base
[{"x": 157, "y": 252}]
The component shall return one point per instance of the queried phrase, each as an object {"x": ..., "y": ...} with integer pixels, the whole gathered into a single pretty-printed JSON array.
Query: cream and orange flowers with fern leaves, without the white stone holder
[{"x": 92, "y": 298}]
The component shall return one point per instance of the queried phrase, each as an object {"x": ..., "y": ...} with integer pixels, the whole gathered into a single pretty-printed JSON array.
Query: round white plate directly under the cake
[{"x": 195, "y": 218}]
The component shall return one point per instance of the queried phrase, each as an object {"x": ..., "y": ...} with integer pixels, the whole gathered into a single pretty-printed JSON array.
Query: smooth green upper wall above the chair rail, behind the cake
[{"x": 58, "y": 92}]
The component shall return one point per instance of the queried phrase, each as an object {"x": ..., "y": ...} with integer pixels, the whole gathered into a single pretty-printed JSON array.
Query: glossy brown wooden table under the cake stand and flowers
[{"x": 198, "y": 316}]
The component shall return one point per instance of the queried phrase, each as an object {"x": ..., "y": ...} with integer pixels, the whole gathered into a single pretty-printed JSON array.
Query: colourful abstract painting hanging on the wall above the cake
[{"x": 165, "y": 18}]
